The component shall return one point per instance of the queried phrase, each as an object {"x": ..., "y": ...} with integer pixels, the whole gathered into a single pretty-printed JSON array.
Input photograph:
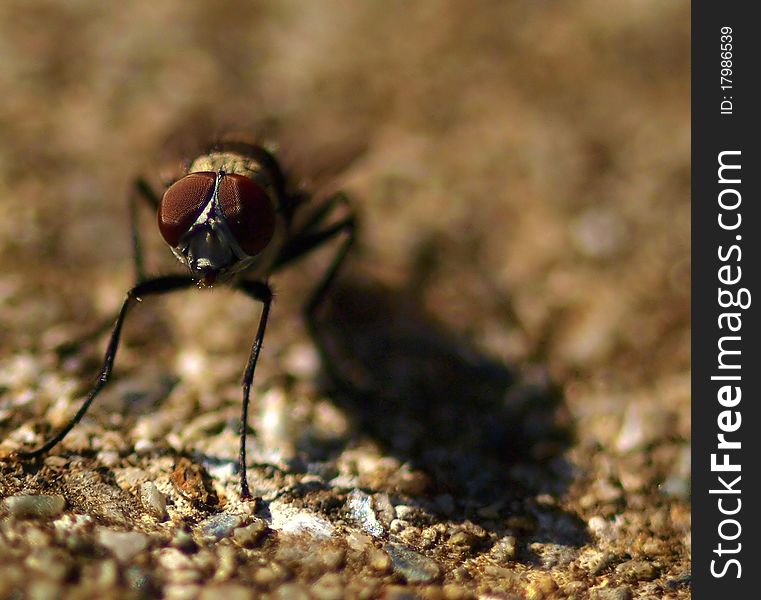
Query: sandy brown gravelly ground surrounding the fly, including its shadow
[{"x": 510, "y": 339}]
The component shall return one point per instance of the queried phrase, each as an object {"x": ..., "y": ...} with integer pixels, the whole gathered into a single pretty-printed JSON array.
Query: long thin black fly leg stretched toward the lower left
[{"x": 158, "y": 285}]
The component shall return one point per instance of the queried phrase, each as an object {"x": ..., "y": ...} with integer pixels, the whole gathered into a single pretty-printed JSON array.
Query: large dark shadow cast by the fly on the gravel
[{"x": 481, "y": 431}]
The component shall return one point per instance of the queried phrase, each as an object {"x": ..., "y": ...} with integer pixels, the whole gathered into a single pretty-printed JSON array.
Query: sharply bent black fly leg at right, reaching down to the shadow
[{"x": 313, "y": 235}]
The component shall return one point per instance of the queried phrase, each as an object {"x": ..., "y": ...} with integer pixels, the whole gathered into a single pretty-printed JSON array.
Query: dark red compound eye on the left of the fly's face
[{"x": 182, "y": 203}]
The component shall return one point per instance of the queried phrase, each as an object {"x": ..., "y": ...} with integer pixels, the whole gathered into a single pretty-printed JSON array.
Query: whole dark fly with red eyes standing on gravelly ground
[{"x": 229, "y": 219}]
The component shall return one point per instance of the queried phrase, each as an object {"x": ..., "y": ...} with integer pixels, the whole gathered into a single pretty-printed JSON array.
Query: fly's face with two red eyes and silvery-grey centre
[{"x": 216, "y": 223}]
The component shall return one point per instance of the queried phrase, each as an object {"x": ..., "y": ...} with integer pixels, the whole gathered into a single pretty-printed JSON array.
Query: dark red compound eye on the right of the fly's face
[{"x": 248, "y": 211}]
